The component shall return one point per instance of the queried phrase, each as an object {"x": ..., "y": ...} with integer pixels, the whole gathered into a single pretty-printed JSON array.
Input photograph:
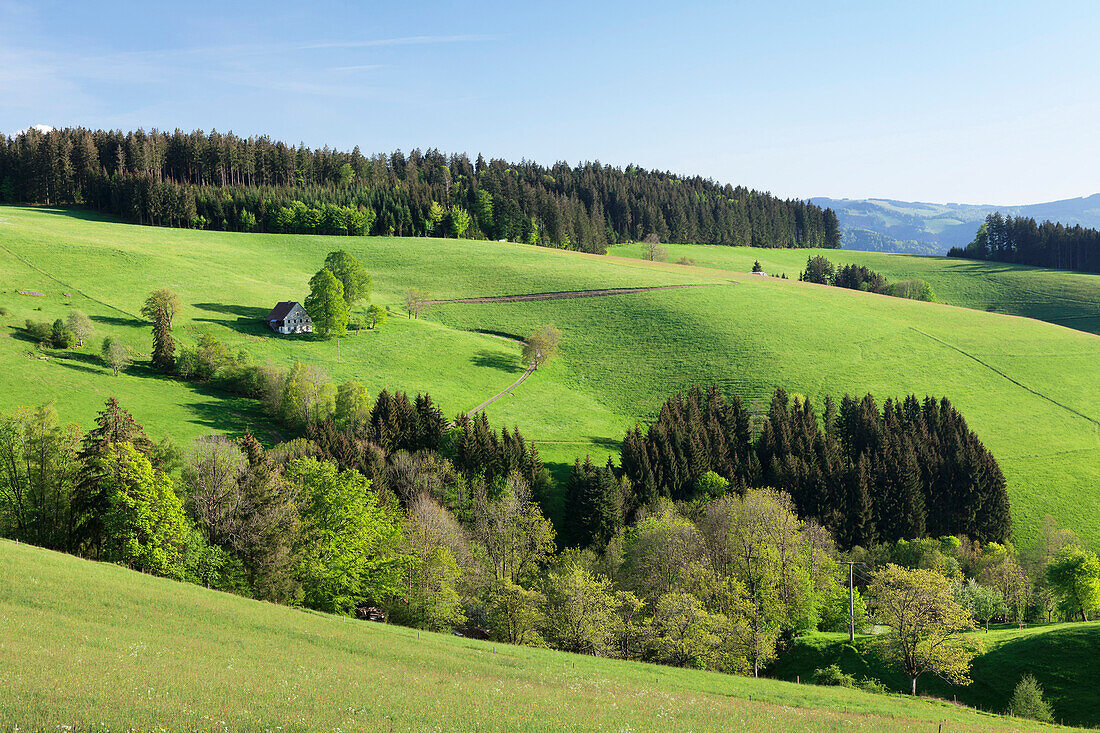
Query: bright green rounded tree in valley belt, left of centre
[{"x": 349, "y": 549}]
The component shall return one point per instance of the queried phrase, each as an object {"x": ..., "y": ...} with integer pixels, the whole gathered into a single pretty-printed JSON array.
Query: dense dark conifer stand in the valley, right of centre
[{"x": 912, "y": 469}]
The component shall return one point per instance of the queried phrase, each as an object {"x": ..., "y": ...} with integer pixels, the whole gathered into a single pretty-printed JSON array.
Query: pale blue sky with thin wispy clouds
[{"x": 976, "y": 103}]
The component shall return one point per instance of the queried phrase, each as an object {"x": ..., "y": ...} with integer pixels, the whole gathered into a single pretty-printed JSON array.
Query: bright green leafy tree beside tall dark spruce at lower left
[{"x": 146, "y": 526}]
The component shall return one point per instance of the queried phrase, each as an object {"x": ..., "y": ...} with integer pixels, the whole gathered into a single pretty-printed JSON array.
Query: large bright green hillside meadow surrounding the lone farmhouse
[{"x": 1028, "y": 388}]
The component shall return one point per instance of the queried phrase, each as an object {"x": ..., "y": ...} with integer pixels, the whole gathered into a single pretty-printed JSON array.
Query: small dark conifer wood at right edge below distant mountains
[{"x": 1021, "y": 242}]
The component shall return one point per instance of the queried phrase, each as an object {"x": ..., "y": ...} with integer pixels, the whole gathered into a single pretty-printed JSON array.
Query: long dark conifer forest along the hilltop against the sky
[{"x": 229, "y": 183}]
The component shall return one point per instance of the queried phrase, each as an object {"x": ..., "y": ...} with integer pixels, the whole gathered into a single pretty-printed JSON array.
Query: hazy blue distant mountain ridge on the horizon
[{"x": 883, "y": 225}]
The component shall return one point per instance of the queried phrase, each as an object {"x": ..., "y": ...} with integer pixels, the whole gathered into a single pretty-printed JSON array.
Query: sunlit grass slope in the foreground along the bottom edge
[{"x": 96, "y": 647}]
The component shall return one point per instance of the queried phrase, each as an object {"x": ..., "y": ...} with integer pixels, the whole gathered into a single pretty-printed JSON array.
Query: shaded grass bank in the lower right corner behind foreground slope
[{"x": 1061, "y": 657}]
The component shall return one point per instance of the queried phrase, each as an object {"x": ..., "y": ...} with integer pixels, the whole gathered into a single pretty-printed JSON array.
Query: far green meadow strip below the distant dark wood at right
[{"x": 1059, "y": 297}]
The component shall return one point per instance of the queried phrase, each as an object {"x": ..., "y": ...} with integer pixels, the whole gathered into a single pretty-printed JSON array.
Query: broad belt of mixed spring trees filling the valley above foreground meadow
[{"x": 442, "y": 530}]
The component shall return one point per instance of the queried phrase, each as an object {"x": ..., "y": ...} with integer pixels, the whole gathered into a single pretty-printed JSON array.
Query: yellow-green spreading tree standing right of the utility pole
[{"x": 927, "y": 625}]
